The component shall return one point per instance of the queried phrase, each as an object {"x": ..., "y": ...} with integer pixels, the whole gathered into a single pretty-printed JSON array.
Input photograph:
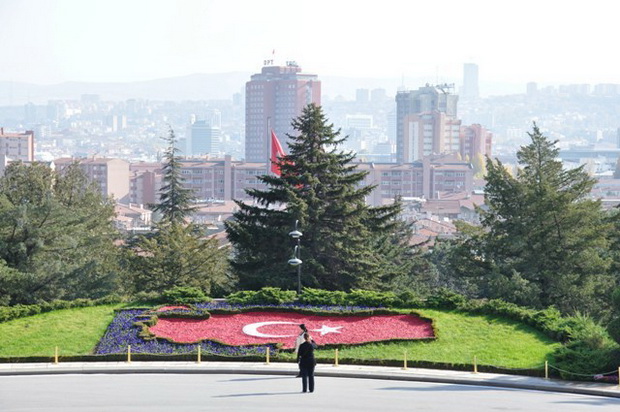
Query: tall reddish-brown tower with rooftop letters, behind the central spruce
[{"x": 273, "y": 98}]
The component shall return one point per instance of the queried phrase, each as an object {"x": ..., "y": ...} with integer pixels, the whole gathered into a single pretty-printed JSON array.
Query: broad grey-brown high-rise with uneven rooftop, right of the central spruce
[{"x": 426, "y": 123}]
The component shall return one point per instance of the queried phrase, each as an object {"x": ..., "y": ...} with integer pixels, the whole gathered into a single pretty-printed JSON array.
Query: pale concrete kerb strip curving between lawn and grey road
[{"x": 345, "y": 371}]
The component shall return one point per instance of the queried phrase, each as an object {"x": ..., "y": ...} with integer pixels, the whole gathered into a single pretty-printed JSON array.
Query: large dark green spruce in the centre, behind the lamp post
[{"x": 344, "y": 243}]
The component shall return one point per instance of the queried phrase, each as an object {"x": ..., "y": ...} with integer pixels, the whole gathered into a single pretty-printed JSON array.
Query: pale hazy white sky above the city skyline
[{"x": 548, "y": 41}]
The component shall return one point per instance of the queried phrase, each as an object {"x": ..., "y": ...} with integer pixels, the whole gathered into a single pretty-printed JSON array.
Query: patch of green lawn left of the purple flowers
[{"x": 75, "y": 332}]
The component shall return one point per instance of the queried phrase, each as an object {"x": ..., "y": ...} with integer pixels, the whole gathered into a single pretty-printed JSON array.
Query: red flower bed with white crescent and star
[{"x": 283, "y": 327}]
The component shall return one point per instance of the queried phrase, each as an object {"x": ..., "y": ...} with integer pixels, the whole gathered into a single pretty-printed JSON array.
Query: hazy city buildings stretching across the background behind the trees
[{"x": 413, "y": 145}]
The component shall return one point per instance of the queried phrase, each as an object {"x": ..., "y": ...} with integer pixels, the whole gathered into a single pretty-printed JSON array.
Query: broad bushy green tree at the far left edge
[{"x": 56, "y": 235}]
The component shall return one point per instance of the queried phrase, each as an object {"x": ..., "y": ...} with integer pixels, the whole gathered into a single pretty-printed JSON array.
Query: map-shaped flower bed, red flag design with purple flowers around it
[{"x": 246, "y": 333}]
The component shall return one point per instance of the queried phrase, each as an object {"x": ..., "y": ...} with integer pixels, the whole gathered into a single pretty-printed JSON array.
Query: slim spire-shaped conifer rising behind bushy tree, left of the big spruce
[{"x": 175, "y": 202}]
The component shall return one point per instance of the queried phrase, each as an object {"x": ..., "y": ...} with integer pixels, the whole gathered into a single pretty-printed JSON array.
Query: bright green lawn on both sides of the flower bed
[{"x": 460, "y": 337}]
